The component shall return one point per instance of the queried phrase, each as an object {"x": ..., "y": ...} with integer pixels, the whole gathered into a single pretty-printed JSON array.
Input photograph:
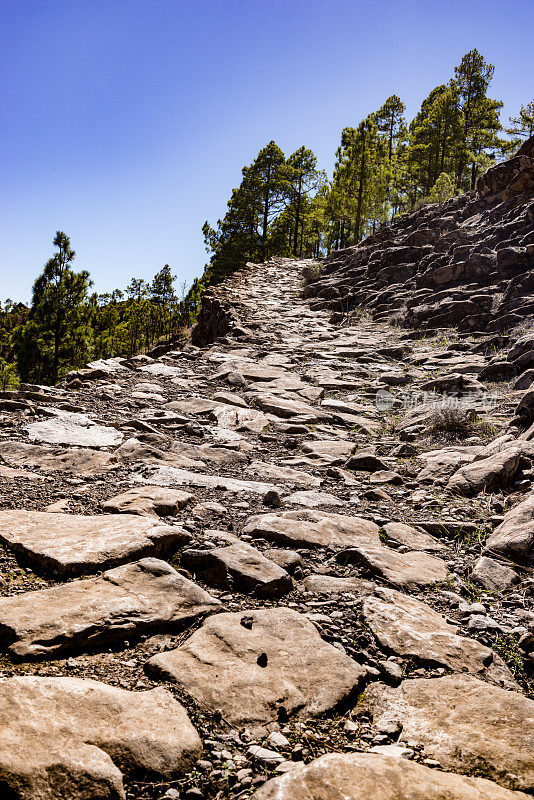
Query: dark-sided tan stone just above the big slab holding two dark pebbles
[{"x": 240, "y": 567}]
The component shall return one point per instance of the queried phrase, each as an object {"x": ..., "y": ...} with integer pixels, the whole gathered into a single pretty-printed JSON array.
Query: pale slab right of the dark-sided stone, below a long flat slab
[{"x": 412, "y": 570}]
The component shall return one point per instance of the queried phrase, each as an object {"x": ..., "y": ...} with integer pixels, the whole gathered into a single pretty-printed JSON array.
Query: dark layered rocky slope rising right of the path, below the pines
[{"x": 466, "y": 263}]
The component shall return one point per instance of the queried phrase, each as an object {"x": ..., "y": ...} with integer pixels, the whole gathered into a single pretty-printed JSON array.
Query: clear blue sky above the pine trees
[{"x": 125, "y": 123}]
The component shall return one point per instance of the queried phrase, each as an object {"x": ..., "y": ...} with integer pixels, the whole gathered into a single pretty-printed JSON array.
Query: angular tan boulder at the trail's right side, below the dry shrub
[{"x": 488, "y": 474}]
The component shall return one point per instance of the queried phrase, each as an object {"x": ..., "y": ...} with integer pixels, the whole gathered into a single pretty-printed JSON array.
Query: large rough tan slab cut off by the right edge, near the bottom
[{"x": 467, "y": 725}]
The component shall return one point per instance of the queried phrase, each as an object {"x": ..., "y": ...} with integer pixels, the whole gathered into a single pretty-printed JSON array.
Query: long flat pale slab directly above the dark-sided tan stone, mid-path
[{"x": 307, "y": 528}]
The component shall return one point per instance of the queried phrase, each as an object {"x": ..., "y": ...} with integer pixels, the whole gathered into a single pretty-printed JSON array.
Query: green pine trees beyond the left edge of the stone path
[{"x": 65, "y": 327}]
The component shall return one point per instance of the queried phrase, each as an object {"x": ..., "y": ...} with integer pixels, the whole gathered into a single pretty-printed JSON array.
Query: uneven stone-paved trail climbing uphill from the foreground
[{"x": 273, "y": 564}]
